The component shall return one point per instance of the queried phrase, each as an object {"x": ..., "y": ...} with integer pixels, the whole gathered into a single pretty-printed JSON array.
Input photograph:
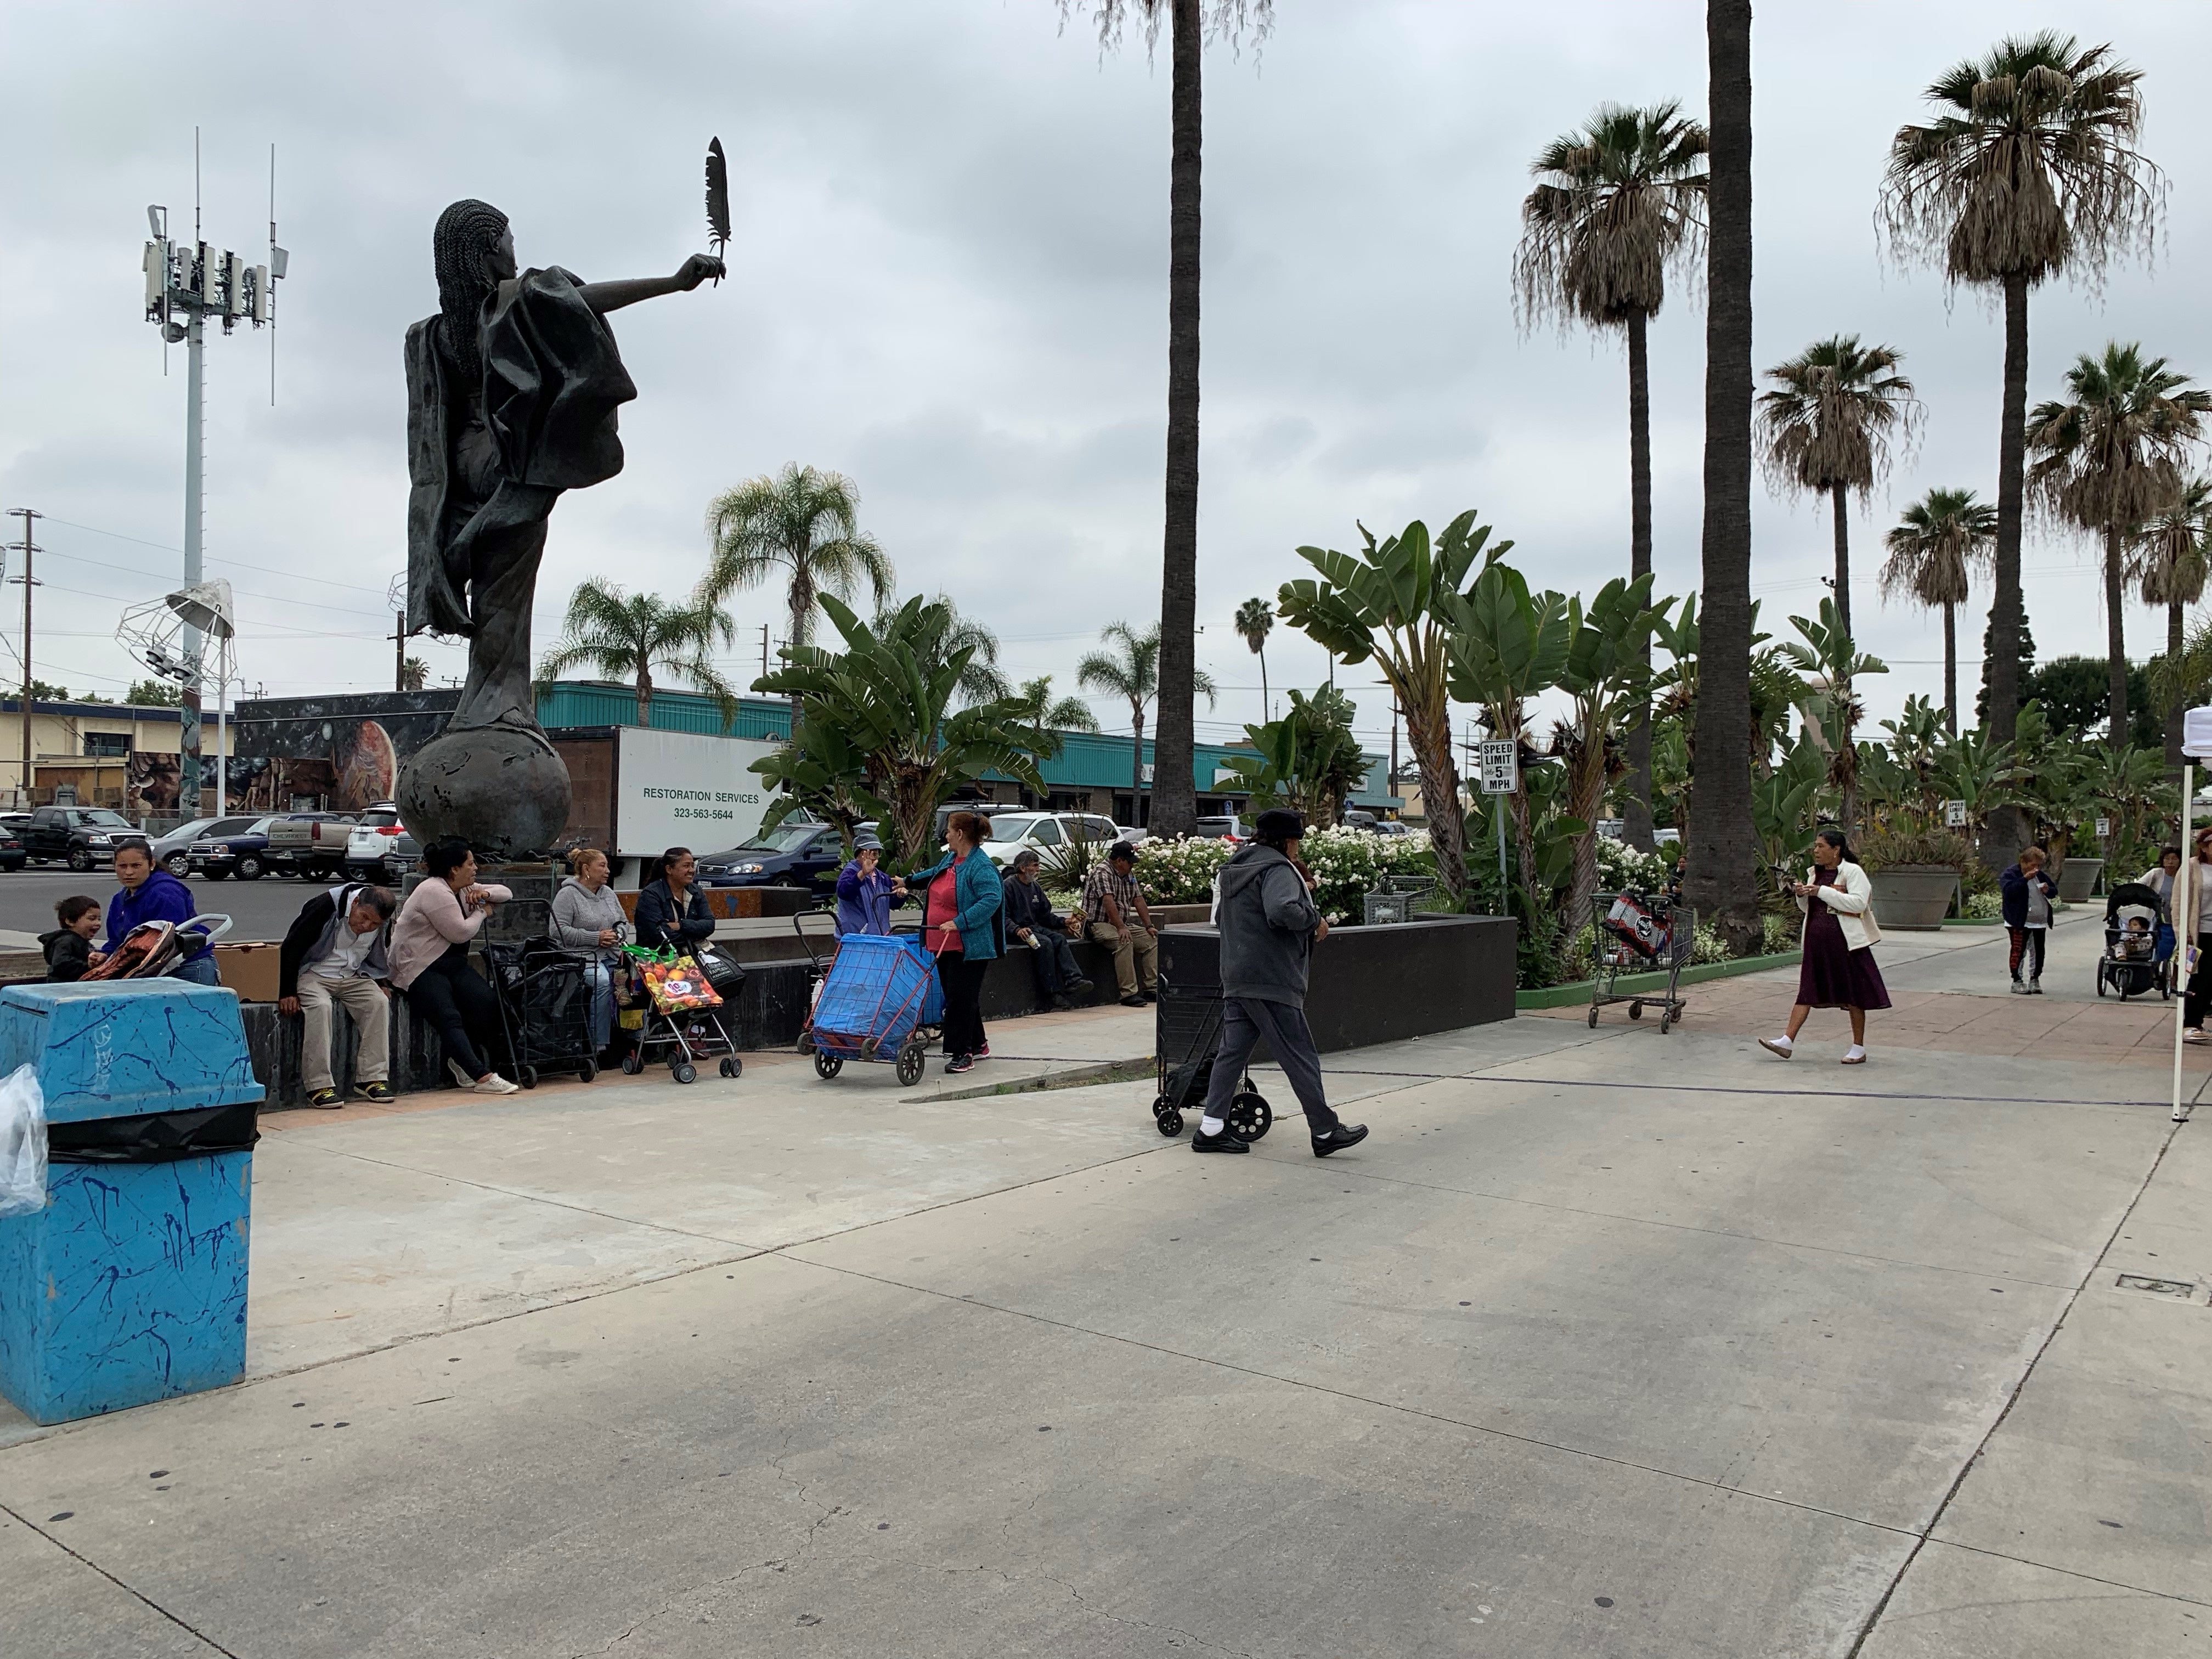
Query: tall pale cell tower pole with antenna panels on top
[{"x": 189, "y": 284}]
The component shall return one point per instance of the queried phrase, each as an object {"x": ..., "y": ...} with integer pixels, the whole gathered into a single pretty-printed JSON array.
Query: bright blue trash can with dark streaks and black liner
[{"x": 132, "y": 1284}]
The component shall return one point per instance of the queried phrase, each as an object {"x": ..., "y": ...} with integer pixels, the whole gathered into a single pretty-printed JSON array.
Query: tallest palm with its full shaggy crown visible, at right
[{"x": 2027, "y": 171}]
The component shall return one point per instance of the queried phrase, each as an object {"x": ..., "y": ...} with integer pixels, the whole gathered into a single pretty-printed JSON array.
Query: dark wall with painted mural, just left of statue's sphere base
[{"x": 340, "y": 753}]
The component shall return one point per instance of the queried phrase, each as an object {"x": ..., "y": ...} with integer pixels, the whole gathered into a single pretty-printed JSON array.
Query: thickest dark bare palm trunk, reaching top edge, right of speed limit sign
[{"x": 1724, "y": 853}]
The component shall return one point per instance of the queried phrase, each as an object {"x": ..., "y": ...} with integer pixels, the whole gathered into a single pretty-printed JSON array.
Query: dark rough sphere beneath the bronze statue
[{"x": 499, "y": 789}]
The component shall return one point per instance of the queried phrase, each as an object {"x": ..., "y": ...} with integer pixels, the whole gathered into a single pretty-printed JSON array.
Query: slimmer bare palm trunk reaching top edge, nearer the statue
[{"x": 1176, "y": 806}]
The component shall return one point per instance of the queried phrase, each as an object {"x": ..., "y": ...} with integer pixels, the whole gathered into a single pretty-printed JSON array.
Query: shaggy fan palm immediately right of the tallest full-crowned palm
[{"x": 2107, "y": 461}]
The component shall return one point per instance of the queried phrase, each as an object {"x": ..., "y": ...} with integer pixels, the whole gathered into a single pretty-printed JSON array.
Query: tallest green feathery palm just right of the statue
[{"x": 806, "y": 523}]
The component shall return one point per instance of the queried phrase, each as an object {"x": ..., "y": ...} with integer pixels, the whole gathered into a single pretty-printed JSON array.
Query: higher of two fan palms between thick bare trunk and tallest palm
[{"x": 1828, "y": 426}]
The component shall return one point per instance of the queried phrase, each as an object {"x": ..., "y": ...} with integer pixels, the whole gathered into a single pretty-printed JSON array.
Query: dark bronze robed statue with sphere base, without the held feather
[{"x": 512, "y": 397}]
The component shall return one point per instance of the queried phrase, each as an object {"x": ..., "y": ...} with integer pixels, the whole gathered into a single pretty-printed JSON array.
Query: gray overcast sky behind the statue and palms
[{"x": 950, "y": 284}]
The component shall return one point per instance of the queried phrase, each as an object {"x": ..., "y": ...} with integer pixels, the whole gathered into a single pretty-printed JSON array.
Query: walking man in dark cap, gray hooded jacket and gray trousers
[{"x": 1269, "y": 932}]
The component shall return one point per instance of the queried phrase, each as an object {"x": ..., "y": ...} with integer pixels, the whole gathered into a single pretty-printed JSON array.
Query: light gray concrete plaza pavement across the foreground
[{"x": 1605, "y": 1344}]
